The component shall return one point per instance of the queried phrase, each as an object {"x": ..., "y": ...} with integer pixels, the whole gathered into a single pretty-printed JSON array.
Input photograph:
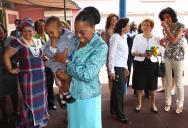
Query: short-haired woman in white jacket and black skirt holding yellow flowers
[{"x": 145, "y": 64}]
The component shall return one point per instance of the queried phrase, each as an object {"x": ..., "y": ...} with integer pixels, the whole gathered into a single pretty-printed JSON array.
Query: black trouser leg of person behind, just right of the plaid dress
[{"x": 49, "y": 84}]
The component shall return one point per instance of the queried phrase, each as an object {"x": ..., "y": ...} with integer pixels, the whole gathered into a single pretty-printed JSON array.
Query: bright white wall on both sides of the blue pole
[{"x": 137, "y": 10}]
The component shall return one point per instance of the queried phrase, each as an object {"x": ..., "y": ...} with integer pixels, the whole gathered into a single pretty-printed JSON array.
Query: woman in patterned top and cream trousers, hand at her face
[{"x": 174, "y": 56}]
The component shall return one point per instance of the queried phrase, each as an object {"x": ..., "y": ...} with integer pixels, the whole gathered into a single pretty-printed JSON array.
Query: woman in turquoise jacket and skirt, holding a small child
[{"x": 84, "y": 67}]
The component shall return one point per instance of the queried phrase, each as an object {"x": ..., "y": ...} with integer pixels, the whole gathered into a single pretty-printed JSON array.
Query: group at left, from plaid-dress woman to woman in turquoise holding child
[{"x": 45, "y": 51}]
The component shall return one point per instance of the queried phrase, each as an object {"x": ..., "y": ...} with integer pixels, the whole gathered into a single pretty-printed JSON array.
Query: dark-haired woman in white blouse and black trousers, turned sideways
[{"x": 118, "y": 55}]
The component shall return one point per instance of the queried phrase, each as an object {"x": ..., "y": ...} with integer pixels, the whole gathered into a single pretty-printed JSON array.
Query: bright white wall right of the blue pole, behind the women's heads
[{"x": 138, "y": 6}]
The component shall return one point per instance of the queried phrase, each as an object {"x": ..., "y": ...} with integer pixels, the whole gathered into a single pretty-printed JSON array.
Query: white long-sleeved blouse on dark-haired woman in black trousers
[{"x": 118, "y": 52}]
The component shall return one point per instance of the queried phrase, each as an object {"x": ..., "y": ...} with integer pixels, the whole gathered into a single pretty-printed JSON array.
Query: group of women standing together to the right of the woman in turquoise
[{"x": 145, "y": 51}]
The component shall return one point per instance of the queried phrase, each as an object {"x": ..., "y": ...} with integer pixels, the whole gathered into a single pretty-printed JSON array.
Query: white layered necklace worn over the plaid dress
[{"x": 35, "y": 50}]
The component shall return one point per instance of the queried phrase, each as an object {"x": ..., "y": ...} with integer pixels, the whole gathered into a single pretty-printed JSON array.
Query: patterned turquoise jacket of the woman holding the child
[{"x": 85, "y": 66}]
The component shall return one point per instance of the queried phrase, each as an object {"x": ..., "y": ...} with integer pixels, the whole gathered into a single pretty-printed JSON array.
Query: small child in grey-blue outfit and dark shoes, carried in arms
[{"x": 59, "y": 43}]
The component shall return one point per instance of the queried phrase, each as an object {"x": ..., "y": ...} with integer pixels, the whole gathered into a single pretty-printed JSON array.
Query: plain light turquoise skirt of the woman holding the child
[{"x": 85, "y": 113}]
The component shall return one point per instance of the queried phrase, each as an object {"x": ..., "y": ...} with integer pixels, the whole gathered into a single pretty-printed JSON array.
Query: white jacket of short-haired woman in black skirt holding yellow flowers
[{"x": 141, "y": 44}]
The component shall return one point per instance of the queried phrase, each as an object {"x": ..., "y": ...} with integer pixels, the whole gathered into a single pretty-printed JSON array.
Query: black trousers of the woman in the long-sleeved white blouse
[{"x": 117, "y": 94}]
